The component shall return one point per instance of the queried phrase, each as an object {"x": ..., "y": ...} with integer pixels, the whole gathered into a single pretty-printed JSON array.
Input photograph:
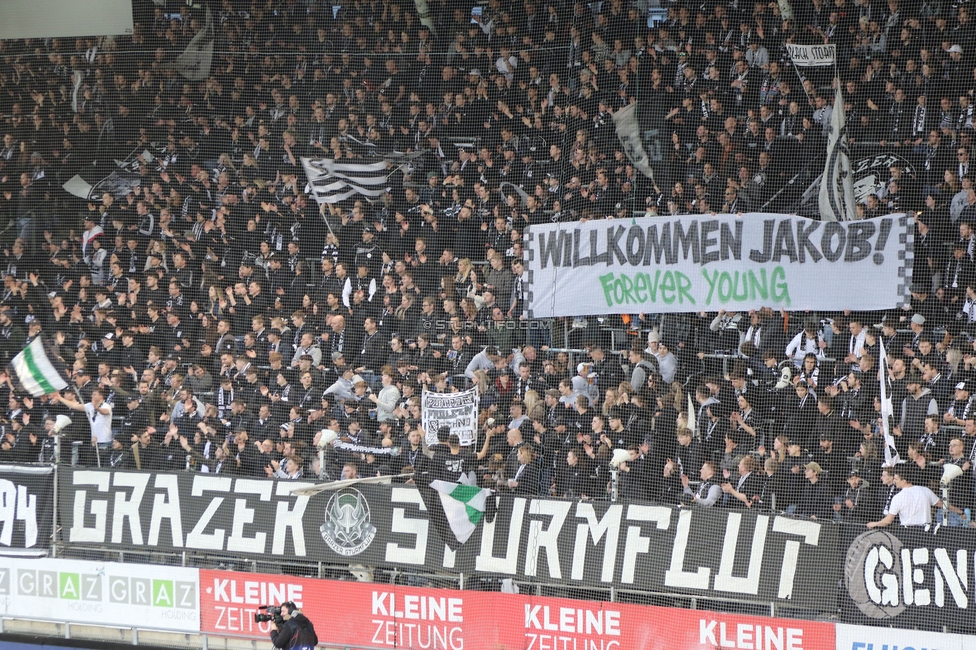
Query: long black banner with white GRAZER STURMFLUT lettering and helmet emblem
[{"x": 715, "y": 553}]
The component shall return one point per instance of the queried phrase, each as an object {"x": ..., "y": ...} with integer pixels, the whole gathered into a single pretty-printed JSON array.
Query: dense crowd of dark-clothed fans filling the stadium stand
[{"x": 216, "y": 318}]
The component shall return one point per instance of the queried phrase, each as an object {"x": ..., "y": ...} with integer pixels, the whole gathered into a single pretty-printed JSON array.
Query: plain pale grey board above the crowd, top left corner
[{"x": 64, "y": 18}]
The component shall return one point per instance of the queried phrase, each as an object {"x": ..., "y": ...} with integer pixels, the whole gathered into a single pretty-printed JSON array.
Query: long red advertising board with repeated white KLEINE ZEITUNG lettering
[{"x": 384, "y": 616}]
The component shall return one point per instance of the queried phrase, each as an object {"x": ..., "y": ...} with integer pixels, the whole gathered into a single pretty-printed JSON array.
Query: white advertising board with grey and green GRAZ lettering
[{"x": 101, "y": 593}]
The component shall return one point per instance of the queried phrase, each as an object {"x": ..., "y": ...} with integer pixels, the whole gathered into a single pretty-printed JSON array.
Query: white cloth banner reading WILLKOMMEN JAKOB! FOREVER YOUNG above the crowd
[{"x": 709, "y": 262}]
